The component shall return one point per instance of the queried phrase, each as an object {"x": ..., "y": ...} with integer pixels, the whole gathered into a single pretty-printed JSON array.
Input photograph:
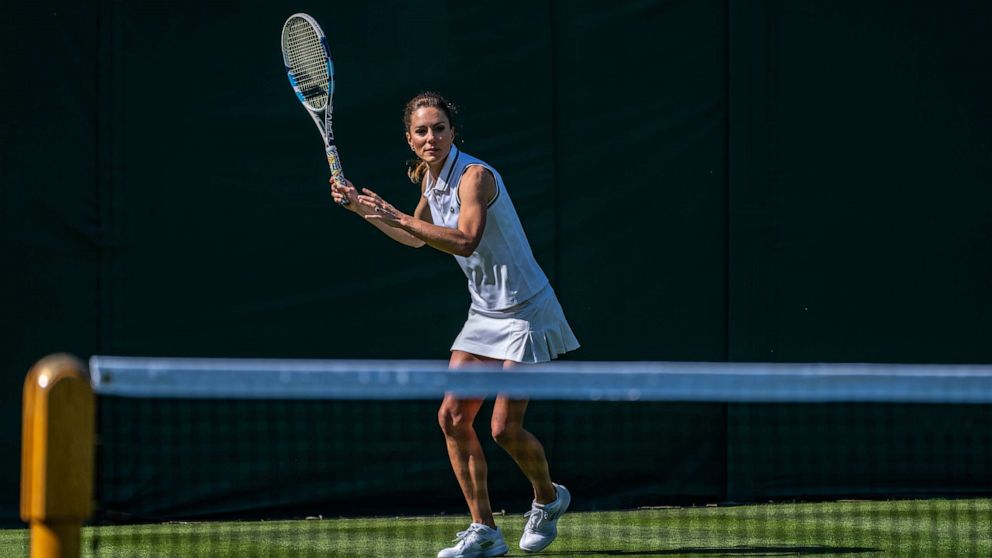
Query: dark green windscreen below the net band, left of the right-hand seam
[{"x": 169, "y": 459}]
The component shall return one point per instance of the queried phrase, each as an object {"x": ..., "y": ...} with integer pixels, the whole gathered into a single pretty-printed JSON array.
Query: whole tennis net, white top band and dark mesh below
[{"x": 311, "y": 458}]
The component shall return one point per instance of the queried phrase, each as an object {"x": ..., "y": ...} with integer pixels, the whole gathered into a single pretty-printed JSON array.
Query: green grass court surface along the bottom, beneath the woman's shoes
[{"x": 935, "y": 528}]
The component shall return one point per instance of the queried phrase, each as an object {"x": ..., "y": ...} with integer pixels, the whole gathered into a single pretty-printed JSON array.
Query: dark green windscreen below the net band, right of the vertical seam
[{"x": 866, "y": 450}]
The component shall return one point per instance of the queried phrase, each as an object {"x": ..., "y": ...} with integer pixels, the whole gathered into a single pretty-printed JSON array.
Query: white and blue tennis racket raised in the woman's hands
[{"x": 311, "y": 73}]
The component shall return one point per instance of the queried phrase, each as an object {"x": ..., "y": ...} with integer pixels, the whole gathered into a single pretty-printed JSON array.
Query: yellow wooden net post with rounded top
[{"x": 57, "y": 455}]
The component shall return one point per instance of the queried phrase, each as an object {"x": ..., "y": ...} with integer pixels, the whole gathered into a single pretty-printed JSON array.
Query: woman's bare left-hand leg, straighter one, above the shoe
[{"x": 467, "y": 460}]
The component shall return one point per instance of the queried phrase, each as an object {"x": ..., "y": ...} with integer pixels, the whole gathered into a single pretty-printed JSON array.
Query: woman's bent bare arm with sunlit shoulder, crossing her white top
[{"x": 476, "y": 188}]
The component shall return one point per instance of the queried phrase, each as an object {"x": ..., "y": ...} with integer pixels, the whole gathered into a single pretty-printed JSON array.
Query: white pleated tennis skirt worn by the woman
[{"x": 532, "y": 331}]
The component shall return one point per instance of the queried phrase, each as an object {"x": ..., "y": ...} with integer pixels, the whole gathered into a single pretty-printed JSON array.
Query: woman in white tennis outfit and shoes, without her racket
[{"x": 514, "y": 317}]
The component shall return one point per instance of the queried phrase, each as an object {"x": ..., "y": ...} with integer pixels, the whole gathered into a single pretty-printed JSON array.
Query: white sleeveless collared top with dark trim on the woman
[{"x": 502, "y": 272}]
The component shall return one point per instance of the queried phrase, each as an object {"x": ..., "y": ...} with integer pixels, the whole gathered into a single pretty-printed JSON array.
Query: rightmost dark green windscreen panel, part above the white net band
[{"x": 860, "y": 207}]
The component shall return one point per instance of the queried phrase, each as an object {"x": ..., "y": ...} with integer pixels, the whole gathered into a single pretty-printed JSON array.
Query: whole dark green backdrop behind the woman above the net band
[{"x": 702, "y": 180}]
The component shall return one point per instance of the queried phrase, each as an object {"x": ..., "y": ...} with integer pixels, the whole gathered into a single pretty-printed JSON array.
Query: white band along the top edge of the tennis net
[{"x": 589, "y": 381}]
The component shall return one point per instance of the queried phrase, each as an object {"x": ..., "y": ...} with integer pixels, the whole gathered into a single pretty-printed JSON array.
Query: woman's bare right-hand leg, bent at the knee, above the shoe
[{"x": 508, "y": 431}]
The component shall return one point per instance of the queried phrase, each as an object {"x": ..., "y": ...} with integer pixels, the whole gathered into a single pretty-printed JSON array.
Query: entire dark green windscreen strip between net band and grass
[{"x": 191, "y": 459}]
